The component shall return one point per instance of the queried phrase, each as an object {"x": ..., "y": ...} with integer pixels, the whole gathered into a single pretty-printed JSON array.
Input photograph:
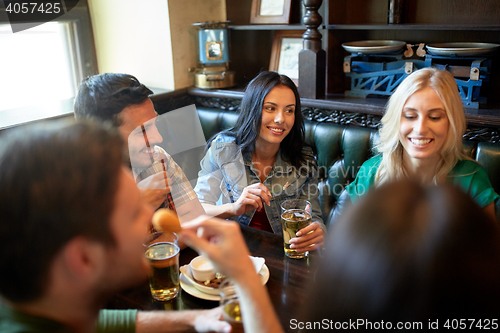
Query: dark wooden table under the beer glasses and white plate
[{"x": 286, "y": 286}]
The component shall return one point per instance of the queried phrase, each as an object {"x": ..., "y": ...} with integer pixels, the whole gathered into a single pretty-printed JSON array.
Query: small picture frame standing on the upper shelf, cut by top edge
[{"x": 270, "y": 12}]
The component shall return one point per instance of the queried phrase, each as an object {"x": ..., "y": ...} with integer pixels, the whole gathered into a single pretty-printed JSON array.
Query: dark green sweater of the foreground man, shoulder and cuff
[{"x": 109, "y": 321}]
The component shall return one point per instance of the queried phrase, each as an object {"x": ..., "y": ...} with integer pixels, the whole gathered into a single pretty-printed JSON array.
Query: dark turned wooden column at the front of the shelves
[{"x": 312, "y": 59}]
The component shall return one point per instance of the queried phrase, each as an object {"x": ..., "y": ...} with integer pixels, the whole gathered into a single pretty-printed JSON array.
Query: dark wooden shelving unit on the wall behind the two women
[{"x": 431, "y": 22}]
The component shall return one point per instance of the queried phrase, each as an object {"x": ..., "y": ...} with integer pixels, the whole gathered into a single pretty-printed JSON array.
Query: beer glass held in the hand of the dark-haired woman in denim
[{"x": 296, "y": 214}]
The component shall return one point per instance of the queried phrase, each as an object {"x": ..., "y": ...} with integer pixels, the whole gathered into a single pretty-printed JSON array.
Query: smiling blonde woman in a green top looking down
[{"x": 421, "y": 138}]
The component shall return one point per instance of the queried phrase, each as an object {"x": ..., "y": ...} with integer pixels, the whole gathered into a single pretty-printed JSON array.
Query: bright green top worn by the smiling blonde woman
[{"x": 466, "y": 175}]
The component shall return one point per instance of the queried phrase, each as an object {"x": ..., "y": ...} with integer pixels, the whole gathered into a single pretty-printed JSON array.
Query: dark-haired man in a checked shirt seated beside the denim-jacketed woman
[{"x": 124, "y": 102}]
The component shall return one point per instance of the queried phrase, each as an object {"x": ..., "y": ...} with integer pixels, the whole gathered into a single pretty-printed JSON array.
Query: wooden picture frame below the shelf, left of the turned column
[{"x": 285, "y": 53}]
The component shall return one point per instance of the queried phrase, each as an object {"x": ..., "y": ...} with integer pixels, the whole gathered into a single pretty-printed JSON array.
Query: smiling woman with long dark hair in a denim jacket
[{"x": 263, "y": 153}]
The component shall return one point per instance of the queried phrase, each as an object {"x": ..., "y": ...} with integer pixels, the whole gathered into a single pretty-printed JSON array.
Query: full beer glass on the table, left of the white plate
[{"x": 162, "y": 251}]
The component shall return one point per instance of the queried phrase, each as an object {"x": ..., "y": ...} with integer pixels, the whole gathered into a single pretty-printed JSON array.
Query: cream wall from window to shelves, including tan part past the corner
[{"x": 153, "y": 41}]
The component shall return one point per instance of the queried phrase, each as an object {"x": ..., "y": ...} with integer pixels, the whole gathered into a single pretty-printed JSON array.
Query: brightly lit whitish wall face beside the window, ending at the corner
[{"x": 134, "y": 37}]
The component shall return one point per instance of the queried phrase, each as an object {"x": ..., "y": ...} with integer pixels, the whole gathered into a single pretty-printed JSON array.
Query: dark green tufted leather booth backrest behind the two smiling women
[{"x": 341, "y": 150}]
